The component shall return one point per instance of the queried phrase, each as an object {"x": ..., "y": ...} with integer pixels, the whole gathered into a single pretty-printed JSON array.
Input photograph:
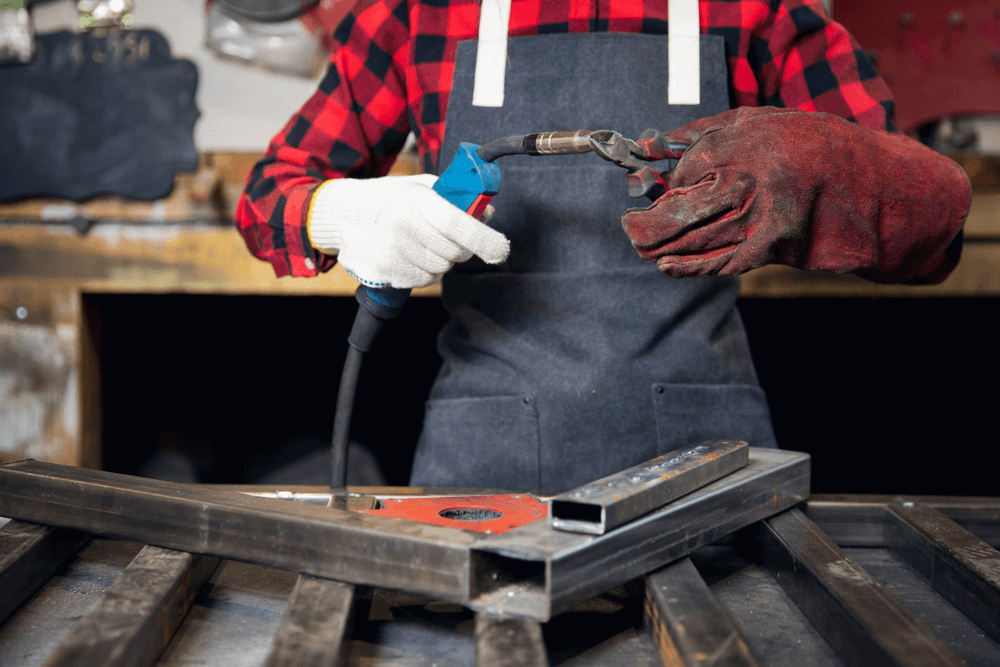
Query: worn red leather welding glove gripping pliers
[{"x": 761, "y": 185}]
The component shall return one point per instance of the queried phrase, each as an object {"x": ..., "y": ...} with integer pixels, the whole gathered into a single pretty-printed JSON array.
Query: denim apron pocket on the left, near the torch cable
[{"x": 479, "y": 442}]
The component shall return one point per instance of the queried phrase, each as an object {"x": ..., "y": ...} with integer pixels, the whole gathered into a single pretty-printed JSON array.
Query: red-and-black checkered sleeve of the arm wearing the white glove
[{"x": 353, "y": 126}]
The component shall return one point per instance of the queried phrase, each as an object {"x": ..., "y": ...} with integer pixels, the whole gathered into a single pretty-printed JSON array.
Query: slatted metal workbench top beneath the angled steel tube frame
[{"x": 835, "y": 580}]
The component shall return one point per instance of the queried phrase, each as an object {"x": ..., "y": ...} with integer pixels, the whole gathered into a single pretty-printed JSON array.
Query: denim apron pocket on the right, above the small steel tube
[{"x": 687, "y": 414}]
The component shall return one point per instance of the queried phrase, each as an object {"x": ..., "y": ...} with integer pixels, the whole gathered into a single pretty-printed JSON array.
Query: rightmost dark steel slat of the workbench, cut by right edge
[{"x": 960, "y": 566}]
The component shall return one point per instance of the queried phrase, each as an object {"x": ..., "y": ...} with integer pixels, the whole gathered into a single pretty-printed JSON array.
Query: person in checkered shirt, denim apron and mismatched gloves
[{"x": 569, "y": 355}]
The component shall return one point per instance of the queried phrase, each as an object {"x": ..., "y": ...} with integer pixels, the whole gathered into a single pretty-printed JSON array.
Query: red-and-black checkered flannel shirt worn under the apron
[{"x": 391, "y": 73}]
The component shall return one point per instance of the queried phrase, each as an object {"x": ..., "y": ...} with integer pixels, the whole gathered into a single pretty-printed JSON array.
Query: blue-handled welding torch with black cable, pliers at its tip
[{"x": 470, "y": 182}]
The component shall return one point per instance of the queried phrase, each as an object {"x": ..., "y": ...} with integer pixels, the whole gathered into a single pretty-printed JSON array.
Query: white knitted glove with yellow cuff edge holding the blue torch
[{"x": 397, "y": 231}]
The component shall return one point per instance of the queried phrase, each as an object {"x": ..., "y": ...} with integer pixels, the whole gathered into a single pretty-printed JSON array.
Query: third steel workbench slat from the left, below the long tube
[{"x": 318, "y": 622}]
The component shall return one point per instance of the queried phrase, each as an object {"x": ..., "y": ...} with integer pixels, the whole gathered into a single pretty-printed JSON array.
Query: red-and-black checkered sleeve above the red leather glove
[{"x": 791, "y": 54}]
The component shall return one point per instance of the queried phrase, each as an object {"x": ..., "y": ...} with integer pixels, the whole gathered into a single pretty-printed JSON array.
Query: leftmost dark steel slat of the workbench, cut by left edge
[{"x": 29, "y": 555}]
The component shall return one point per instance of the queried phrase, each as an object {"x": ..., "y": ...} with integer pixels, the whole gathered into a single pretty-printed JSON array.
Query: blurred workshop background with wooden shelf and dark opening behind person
[{"x": 137, "y": 333}]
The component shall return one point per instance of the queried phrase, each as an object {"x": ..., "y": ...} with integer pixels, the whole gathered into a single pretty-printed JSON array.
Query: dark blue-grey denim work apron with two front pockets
[{"x": 576, "y": 358}]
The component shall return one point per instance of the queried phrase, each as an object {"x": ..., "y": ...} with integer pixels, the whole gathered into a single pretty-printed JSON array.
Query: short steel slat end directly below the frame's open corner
[{"x": 509, "y": 642}]
